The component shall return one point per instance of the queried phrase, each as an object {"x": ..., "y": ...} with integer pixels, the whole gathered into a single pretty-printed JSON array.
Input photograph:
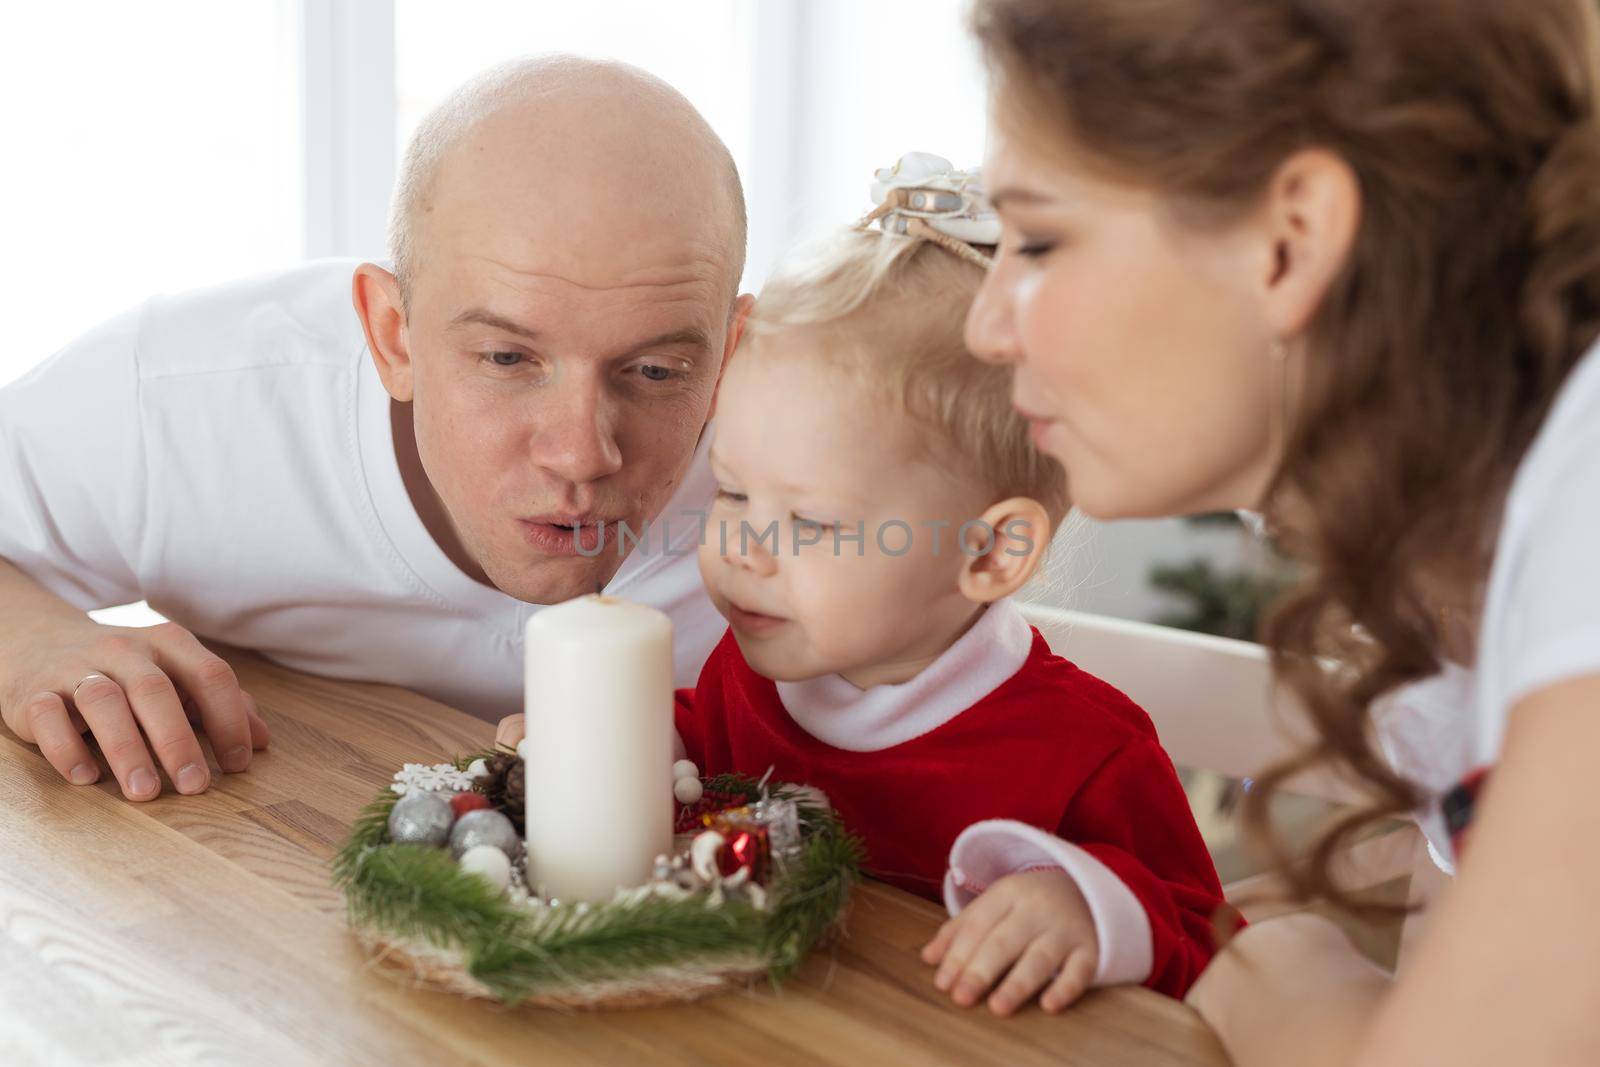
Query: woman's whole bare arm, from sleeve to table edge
[{"x": 1510, "y": 970}]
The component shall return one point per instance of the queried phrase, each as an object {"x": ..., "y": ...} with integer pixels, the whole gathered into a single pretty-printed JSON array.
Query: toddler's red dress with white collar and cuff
[{"x": 1070, "y": 767}]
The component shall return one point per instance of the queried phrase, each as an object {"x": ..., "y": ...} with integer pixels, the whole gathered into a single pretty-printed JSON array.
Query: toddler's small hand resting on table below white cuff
[{"x": 1034, "y": 929}]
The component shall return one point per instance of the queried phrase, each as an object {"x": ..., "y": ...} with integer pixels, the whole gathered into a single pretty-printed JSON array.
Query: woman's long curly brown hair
[{"x": 1471, "y": 290}]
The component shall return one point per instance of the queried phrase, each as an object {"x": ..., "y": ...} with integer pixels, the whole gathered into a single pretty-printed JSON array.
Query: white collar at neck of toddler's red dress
[{"x": 847, "y": 717}]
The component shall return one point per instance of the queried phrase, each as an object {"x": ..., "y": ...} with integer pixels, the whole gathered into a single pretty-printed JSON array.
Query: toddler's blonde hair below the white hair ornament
[{"x": 900, "y": 308}]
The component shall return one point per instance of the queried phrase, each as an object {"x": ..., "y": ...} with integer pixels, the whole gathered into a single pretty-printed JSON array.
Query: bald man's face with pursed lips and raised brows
[{"x": 564, "y": 362}]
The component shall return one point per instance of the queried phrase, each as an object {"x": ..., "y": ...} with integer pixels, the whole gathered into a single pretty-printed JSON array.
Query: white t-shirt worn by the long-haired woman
[{"x": 1542, "y": 615}]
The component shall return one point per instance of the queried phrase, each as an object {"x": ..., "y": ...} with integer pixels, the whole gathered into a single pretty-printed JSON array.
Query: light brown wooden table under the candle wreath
[{"x": 202, "y": 930}]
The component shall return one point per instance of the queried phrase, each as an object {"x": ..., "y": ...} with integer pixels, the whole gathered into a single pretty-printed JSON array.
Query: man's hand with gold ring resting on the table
[{"x": 137, "y": 690}]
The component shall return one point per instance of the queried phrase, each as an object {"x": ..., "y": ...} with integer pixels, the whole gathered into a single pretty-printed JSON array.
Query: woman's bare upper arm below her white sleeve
[{"x": 1510, "y": 972}]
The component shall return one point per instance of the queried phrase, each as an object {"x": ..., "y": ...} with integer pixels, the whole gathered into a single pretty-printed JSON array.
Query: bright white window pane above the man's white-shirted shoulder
[{"x": 150, "y": 146}]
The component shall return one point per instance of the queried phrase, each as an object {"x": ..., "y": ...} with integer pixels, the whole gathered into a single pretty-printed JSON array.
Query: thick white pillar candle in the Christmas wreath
[{"x": 599, "y": 746}]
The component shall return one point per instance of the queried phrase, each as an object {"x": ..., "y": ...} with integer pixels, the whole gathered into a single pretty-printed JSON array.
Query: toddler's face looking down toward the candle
[{"x": 806, "y": 462}]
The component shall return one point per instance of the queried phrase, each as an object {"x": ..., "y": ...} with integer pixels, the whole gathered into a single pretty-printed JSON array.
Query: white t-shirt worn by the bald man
[{"x": 226, "y": 455}]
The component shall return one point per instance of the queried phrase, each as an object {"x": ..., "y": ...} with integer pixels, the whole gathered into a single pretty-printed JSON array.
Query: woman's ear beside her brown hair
[{"x": 1313, "y": 214}]
